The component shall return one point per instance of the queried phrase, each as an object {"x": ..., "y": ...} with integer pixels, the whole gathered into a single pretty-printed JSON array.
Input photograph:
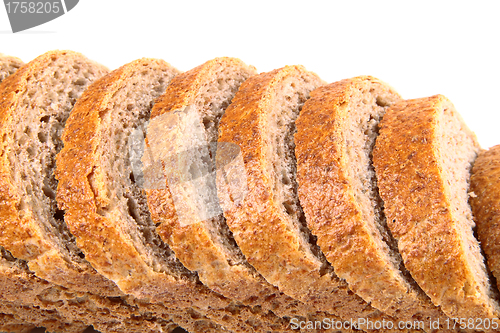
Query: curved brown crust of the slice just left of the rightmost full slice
[{"x": 332, "y": 210}]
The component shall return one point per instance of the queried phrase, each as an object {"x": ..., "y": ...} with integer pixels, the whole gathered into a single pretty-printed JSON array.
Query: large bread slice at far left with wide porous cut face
[{"x": 34, "y": 104}]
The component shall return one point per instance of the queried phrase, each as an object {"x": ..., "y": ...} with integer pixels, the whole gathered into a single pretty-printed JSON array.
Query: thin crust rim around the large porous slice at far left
[{"x": 23, "y": 236}]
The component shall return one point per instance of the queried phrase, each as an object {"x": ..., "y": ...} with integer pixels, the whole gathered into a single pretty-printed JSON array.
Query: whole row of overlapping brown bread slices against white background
[{"x": 146, "y": 199}]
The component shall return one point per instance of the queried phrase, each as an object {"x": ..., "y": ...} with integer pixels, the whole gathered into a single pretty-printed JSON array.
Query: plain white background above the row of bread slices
[{"x": 421, "y": 48}]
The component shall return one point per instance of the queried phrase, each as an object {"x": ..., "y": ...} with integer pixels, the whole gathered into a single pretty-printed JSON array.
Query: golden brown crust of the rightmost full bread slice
[{"x": 409, "y": 174}]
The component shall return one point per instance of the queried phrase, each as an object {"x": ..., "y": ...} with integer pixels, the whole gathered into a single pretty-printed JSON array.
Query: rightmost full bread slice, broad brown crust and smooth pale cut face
[{"x": 423, "y": 158}]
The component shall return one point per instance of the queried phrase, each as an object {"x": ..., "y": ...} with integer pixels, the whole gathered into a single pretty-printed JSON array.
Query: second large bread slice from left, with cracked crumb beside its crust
[{"x": 96, "y": 190}]
